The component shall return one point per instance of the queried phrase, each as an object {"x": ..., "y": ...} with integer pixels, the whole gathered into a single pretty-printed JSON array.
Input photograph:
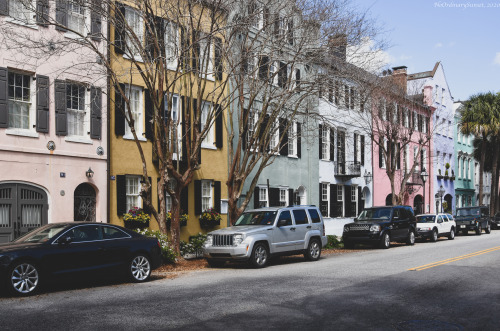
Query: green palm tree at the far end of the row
[{"x": 482, "y": 119}]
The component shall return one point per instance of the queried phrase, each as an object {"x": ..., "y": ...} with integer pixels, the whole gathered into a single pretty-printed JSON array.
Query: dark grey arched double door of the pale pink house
[{"x": 22, "y": 208}]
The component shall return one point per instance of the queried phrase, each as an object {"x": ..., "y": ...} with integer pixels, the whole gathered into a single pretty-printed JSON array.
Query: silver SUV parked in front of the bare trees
[{"x": 261, "y": 233}]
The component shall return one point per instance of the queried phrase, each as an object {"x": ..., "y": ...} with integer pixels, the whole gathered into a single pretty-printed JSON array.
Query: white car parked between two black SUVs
[{"x": 433, "y": 226}]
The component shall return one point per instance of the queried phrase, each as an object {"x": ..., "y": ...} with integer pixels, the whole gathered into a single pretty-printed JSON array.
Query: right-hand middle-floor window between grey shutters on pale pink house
[{"x": 75, "y": 105}]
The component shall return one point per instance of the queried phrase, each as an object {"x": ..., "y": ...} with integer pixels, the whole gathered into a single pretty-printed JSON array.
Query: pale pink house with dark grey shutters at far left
[{"x": 53, "y": 140}]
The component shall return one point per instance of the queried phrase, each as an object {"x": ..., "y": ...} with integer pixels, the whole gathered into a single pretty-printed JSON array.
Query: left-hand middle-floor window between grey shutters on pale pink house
[{"x": 19, "y": 91}]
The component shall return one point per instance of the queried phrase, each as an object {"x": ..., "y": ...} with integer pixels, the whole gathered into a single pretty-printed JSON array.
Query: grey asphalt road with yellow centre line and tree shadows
[{"x": 448, "y": 285}]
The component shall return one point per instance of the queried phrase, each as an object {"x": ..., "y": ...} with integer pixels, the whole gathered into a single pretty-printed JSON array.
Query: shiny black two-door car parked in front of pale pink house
[{"x": 76, "y": 247}]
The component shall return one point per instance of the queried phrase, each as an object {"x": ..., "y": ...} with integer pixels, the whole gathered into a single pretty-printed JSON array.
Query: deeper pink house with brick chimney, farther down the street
[{"x": 402, "y": 126}]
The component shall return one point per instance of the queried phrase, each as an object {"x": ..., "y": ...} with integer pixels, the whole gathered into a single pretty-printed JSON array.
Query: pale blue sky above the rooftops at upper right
[{"x": 463, "y": 35}]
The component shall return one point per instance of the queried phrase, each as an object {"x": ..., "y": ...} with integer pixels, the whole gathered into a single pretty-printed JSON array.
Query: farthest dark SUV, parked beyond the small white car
[{"x": 473, "y": 219}]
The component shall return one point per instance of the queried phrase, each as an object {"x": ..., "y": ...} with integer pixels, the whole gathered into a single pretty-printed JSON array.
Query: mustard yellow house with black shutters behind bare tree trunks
[{"x": 207, "y": 189}]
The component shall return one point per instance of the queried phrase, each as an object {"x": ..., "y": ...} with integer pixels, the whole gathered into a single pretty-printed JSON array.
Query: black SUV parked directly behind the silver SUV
[{"x": 380, "y": 226}]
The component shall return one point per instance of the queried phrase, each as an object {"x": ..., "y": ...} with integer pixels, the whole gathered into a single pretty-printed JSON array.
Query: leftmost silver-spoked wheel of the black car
[{"x": 24, "y": 278}]
